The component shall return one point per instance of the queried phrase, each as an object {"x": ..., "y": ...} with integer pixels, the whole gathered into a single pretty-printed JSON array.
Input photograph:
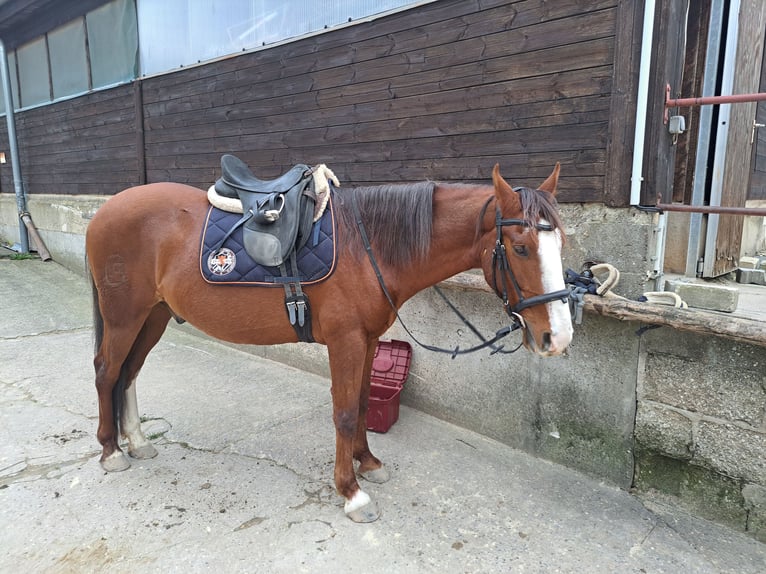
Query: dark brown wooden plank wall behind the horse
[{"x": 442, "y": 91}]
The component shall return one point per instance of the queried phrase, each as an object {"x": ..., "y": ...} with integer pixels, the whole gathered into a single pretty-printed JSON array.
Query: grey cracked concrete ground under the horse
[{"x": 243, "y": 480}]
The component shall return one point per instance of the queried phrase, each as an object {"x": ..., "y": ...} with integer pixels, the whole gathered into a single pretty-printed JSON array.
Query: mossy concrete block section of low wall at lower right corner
[{"x": 701, "y": 426}]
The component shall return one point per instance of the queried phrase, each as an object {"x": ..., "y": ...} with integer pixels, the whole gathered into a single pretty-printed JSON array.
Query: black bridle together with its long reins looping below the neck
[{"x": 499, "y": 262}]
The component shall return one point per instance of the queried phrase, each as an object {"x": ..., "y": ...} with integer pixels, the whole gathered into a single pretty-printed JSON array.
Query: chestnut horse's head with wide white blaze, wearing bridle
[{"x": 521, "y": 260}]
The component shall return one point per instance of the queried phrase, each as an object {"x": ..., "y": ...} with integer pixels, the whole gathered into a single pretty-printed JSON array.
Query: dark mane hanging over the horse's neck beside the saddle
[{"x": 398, "y": 219}]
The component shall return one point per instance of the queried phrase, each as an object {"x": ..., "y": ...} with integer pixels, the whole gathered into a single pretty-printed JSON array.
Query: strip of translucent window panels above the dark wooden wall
[{"x": 102, "y": 48}]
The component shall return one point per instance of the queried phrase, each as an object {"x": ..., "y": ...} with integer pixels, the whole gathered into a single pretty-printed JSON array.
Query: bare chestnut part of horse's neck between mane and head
[{"x": 453, "y": 245}]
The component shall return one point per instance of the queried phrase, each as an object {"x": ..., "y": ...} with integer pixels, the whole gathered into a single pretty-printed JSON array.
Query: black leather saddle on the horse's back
[{"x": 277, "y": 215}]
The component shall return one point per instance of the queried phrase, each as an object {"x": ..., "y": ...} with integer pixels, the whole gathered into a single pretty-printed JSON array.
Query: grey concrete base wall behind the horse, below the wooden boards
[{"x": 692, "y": 406}]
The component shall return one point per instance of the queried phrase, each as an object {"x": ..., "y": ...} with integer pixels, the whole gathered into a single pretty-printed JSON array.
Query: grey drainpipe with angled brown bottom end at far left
[{"x": 25, "y": 220}]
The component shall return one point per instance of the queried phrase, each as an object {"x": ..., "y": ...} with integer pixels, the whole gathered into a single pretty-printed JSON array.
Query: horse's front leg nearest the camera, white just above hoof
[{"x": 348, "y": 359}]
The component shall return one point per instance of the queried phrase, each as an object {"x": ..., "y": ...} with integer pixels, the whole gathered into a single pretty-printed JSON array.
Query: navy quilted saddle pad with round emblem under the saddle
[{"x": 233, "y": 266}]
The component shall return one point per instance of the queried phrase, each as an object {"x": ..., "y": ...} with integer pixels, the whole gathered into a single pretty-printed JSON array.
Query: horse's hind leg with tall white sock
[{"x": 138, "y": 445}]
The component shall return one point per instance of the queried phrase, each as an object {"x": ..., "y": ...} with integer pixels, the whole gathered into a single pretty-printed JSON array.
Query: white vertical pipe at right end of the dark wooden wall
[{"x": 642, "y": 102}]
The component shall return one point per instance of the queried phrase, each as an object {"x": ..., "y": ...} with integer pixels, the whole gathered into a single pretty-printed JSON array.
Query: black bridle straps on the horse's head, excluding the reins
[{"x": 501, "y": 264}]
